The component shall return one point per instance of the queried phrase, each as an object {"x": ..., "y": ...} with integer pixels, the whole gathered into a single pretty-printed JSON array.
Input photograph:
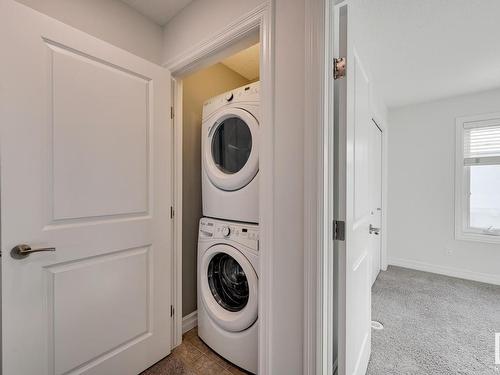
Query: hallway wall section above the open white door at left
[{"x": 109, "y": 20}]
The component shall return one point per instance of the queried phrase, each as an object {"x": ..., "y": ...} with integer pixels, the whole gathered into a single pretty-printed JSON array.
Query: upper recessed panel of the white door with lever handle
[{"x": 84, "y": 169}]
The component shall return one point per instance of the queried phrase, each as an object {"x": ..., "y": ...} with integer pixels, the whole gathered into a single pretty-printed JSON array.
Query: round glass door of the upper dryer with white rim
[{"x": 231, "y": 156}]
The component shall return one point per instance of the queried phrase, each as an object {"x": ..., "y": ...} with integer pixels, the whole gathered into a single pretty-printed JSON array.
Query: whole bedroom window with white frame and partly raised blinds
[{"x": 477, "y": 211}]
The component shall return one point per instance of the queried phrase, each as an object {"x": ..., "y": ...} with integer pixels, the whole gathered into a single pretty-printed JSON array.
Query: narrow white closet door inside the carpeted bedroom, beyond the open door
[{"x": 376, "y": 198}]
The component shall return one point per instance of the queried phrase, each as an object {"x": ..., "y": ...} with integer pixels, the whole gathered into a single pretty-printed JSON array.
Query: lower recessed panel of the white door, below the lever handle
[{"x": 136, "y": 325}]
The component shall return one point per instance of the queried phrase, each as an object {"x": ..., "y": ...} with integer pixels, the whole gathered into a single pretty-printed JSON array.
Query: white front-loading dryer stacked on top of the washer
[{"x": 230, "y": 155}]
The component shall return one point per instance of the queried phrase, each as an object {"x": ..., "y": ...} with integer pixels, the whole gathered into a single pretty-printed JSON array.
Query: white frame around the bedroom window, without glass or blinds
[{"x": 462, "y": 184}]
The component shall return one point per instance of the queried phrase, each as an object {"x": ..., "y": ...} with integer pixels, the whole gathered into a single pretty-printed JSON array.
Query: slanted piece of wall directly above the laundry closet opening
[{"x": 199, "y": 20}]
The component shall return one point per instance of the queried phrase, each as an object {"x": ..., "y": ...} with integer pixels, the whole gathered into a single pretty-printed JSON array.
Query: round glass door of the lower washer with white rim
[{"x": 229, "y": 288}]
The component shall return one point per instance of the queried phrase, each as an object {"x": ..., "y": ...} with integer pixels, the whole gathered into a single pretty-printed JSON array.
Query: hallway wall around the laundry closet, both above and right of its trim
[{"x": 192, "y": 26}]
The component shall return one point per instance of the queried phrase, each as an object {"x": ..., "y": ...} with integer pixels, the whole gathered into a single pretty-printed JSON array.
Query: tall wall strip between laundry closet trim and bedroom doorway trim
[{"x": 288, "y": 268}]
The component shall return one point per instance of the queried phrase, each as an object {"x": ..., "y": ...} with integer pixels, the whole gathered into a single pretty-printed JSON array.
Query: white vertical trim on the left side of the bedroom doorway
[{"x": 317, "y": 304}]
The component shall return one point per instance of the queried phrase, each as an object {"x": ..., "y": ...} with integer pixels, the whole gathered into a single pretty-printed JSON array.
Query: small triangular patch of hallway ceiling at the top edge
[{"x": 160, "y": 11}]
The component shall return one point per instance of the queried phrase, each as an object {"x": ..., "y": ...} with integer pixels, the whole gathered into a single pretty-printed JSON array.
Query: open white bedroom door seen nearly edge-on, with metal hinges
[{"x": 353, "y": 205}]
